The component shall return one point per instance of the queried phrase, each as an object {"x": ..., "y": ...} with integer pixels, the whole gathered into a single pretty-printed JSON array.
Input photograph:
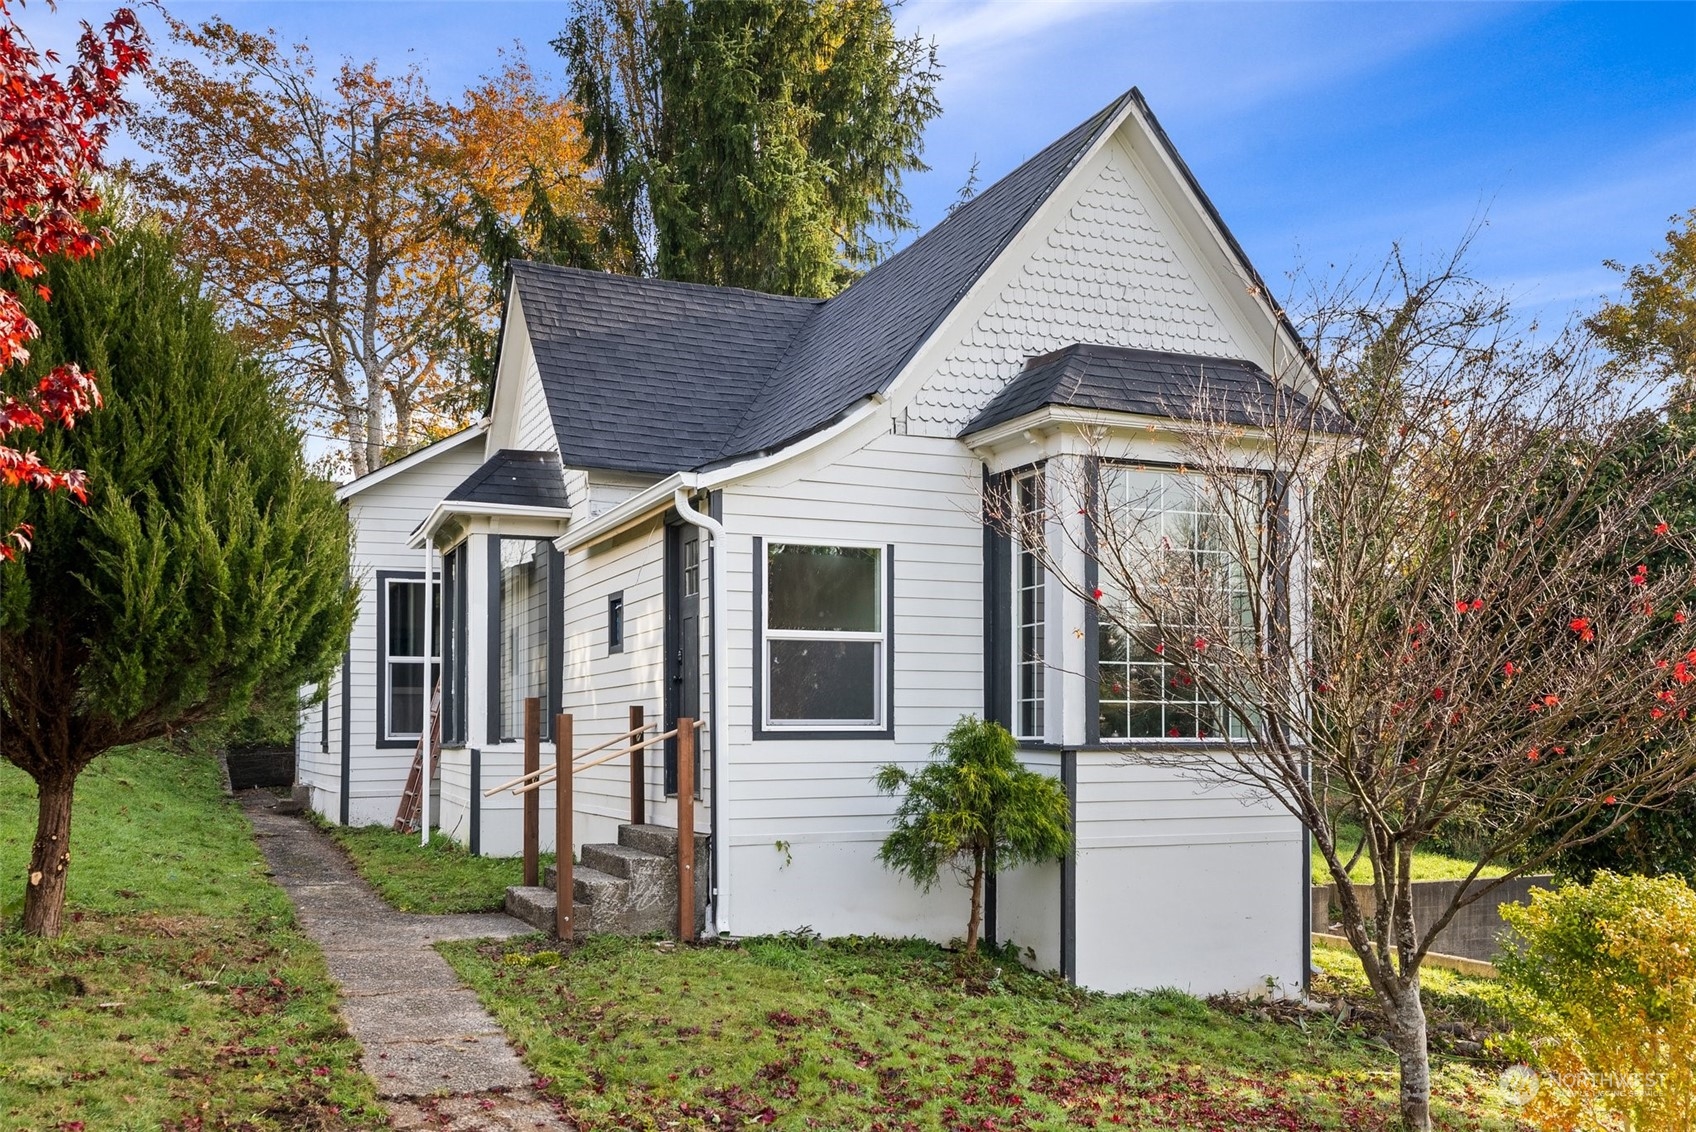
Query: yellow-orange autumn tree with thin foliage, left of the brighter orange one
[{"x": 313, "y": 208}]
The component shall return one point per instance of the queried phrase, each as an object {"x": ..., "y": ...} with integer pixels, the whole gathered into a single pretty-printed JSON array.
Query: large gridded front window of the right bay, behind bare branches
[{"x": 1163, "y": 517}]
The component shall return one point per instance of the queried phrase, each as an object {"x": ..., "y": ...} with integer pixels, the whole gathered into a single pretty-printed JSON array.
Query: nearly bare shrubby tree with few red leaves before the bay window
[{"x": 1437, "y": 580}]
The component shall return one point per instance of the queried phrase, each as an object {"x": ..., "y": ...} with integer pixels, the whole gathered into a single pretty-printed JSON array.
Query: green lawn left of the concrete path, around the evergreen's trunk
[{"x": 182, "y": 995}]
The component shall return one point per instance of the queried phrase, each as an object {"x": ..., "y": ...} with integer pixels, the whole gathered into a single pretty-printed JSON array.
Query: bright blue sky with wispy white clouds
[{"x": 1322, "y": 132}]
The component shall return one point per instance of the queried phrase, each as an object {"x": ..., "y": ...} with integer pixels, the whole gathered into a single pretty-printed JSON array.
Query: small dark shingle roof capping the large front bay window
[{"x": 1151, "y": 383}]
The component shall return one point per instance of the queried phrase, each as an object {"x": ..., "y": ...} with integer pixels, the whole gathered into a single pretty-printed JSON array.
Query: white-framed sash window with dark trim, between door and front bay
[{"x": 825, "y": 637}]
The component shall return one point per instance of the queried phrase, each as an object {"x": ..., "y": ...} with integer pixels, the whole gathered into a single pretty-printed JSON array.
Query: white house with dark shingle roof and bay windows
[{"x": 769, "y": 513}]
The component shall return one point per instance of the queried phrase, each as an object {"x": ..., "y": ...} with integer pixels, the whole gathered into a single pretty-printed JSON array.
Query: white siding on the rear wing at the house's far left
[{"x": 384, "y": 517}]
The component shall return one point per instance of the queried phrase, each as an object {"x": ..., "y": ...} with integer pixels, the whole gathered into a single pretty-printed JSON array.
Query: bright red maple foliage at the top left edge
[{"x": 52, "y": 137}]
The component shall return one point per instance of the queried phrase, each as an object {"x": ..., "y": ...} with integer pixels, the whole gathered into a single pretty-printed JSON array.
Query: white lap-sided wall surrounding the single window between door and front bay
[{"x": 817, "y": 797}]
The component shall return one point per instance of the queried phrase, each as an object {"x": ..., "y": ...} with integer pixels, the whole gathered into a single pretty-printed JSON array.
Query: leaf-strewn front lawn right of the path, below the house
[{"x": 883, "y": 1036}]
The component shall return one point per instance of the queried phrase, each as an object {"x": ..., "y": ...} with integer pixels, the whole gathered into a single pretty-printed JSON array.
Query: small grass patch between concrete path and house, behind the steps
[{"x": 435, "y": 880}]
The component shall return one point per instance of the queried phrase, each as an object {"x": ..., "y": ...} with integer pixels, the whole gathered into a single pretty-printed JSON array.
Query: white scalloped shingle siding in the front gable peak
[{"x": 1113, "y": 271}]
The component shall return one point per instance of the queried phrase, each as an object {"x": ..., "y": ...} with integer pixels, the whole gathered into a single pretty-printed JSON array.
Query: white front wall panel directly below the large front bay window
[{"x": 1183, "y": 883}]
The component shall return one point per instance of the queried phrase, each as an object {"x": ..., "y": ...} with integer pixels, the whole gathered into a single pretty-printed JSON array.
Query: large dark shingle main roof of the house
[{"x": 649, "y": 376}]
